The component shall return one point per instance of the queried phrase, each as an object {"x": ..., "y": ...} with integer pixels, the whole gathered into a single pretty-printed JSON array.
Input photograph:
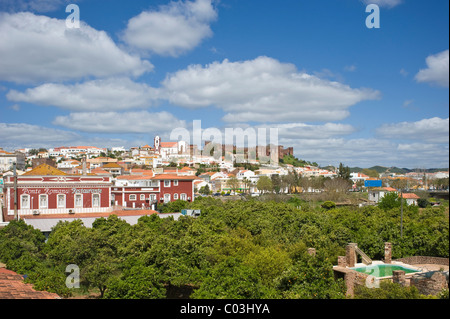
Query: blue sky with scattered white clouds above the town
[{"x": 336, "y": 90}]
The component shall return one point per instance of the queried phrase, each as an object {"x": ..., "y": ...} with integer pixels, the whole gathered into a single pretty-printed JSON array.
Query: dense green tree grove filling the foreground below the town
[{"x": 236, "y": 249}]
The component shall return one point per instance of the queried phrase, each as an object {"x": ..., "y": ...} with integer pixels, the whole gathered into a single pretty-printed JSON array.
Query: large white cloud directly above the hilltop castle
[{"x": 262, "y": 90}]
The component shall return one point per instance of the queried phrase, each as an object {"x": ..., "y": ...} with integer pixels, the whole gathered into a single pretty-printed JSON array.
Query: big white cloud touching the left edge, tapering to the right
[{"x": 38, "y": 48}]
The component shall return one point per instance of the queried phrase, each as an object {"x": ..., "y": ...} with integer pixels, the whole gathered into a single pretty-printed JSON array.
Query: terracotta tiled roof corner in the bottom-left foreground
[{"x": 13, "y": 287}]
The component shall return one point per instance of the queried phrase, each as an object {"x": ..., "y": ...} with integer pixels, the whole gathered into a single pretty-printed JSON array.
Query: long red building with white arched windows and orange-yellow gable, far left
[{"x": 46, "y": 190}]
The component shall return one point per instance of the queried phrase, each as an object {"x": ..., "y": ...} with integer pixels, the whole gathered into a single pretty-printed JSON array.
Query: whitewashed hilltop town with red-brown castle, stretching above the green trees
[{"x": 102, "y": 180}]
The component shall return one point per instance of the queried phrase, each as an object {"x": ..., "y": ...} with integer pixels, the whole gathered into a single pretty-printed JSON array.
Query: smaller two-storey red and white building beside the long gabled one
[{"x": 146, "y": 190}]
